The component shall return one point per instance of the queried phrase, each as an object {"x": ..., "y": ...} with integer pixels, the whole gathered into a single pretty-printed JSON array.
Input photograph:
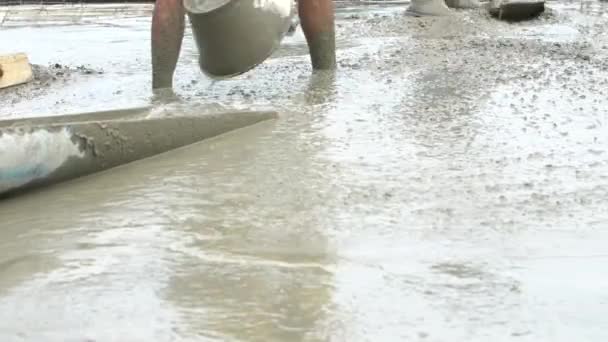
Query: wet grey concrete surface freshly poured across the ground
[{"x": 447, "y": 183}]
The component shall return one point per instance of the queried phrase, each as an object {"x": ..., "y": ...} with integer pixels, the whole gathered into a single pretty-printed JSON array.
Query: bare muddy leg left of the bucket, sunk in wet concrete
[{"x": 167, "y": 36}]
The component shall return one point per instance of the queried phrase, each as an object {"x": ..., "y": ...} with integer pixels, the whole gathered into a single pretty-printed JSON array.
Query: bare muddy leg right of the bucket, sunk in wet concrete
[{"x": 317, "y": 20}]
